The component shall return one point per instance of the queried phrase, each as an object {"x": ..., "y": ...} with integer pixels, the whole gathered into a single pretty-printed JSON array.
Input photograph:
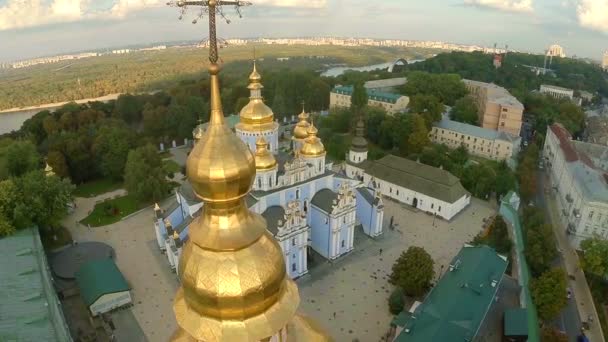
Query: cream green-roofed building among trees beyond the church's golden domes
[{"x": 340, "y": 97}]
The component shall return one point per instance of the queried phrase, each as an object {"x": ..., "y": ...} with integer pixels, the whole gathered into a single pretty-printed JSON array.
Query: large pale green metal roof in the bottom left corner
[{"x": 29, "y": 307}]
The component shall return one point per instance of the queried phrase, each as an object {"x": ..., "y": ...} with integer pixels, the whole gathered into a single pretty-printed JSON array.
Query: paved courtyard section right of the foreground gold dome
[{"x": 355, "y": 288}]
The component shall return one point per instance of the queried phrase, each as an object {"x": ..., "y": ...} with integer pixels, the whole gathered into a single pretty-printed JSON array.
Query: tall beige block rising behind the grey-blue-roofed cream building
[{"x": 497, "y": 108}]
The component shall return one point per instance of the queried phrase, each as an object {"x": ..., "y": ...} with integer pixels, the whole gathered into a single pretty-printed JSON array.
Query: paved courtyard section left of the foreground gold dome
[{"x": 141, "y": 262}]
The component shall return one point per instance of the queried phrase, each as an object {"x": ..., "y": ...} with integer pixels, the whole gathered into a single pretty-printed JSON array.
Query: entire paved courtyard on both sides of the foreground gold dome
[{"x": 348, "y": 296}]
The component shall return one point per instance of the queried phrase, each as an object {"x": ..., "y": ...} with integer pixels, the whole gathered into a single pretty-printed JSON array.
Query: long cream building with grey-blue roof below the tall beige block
[{"x": 482, "y": 142}]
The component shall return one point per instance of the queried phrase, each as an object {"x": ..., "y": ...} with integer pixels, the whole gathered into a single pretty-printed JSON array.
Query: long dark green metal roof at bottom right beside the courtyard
[{"x": 458, "y": 304}]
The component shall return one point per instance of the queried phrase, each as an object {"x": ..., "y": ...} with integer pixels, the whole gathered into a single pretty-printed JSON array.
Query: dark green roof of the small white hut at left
[{"x": 99, "y": 277}]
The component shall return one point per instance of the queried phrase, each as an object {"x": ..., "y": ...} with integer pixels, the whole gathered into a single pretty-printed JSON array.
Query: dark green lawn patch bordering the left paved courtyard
[{"x": 111, "y": 211}]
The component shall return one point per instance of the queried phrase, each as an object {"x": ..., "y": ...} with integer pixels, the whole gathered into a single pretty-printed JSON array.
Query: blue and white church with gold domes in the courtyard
[{"x": 306, "y": 204}]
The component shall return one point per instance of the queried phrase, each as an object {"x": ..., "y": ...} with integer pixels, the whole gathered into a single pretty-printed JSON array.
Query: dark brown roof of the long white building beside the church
[{"x": 422, "y": 178}]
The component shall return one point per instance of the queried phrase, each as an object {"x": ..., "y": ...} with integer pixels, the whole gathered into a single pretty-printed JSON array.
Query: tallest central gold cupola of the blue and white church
[{"x": 256, "y": 115}]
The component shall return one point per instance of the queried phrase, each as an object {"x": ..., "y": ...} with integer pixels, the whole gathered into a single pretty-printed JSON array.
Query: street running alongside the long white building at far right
[{"x": 580, "y": 304}]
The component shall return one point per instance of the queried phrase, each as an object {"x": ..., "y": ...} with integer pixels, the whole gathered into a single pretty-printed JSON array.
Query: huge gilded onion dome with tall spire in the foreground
[{"x": 234, "y": 285}]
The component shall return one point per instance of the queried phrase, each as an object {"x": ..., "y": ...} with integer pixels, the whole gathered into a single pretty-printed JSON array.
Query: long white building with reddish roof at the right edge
[{"x": 579, "y": 179}]
